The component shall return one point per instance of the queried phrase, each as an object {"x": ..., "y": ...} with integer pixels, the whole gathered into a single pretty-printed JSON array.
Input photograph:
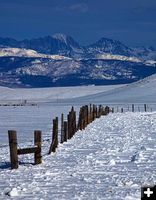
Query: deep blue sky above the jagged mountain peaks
[{"x": 130, "y": 21}]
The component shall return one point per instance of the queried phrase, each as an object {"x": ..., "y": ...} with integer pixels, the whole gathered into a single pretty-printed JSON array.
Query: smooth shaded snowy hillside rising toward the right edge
[{"x": 143, "y": 91}]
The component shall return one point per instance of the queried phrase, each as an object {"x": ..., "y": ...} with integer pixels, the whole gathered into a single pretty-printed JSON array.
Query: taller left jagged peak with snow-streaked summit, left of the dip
[{"x": 57, "y": 44}]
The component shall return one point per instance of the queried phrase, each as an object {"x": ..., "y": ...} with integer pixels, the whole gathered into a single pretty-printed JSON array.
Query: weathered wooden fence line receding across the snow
[{"x": 87, "y": 114}]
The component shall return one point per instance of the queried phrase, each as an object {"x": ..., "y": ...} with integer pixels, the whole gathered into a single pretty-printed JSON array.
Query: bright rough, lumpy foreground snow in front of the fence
[{"x": 111, "y": 159}]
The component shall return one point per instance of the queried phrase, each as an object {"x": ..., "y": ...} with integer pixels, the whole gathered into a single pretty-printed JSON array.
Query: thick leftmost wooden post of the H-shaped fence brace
[{"x": 13, "y": 149}]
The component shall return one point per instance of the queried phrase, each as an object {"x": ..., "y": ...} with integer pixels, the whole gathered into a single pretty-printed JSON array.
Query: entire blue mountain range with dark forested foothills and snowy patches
[{"x": 59, "y": 60}]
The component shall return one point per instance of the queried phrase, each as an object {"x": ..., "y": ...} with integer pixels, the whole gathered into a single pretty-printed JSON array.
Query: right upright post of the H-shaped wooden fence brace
[{"x": 38, "y": 143}]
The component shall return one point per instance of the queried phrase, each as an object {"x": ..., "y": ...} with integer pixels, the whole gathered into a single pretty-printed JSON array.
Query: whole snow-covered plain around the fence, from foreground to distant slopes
[{"x": 111, "y": 159}]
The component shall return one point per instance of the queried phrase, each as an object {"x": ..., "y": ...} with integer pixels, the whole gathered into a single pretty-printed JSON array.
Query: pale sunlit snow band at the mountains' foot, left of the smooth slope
[{"x": 53, "y": 93}]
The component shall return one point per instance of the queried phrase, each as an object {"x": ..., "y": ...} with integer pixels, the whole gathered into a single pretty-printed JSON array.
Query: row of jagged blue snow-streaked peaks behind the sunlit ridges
[{"x": 66, "y": 46}]
